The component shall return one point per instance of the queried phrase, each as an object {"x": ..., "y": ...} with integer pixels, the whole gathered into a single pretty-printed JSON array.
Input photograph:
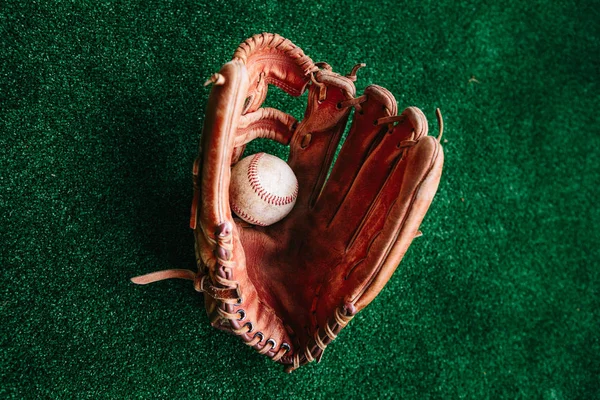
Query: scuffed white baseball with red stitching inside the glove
[{"x": 263, "y": 189}]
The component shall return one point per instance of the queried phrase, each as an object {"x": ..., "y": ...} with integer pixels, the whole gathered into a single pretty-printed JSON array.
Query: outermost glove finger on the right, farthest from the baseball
[{"x": 387, "y": 231}]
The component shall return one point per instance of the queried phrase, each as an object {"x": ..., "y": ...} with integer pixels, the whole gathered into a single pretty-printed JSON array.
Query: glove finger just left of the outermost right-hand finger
[{"x": 375, "y": 174}]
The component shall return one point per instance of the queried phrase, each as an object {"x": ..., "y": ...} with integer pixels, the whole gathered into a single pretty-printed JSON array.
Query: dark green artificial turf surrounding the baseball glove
[{"x": 101, "y": 108}]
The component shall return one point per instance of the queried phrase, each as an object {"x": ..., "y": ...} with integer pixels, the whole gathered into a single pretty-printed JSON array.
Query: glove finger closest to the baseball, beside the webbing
[{"x": 316, "y": 138}]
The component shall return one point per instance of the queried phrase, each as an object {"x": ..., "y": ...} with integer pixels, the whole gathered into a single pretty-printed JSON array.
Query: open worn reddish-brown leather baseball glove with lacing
[{"x": 288, "y": 289}]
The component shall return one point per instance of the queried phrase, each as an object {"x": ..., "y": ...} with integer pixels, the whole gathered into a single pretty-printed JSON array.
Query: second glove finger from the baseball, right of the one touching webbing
[{"x": 363, "y": 136}]
